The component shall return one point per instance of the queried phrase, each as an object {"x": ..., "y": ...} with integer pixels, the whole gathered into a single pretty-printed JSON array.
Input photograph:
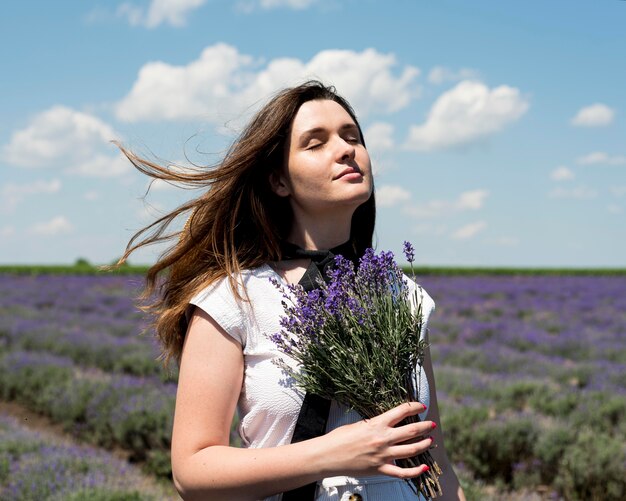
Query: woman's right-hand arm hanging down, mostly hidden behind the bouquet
[{"x": 450, "y": 486}]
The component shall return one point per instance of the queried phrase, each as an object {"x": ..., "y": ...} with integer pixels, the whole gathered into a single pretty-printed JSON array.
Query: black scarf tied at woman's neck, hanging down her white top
[{"x": 313, "y": 415}]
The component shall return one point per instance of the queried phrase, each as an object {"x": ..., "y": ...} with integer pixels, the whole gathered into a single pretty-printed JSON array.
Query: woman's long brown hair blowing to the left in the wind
[{"x": 237, "y": 223}]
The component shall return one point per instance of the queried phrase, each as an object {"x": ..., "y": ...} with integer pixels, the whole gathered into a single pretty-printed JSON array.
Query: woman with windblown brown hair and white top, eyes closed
[{"x": 298, "y": 177}]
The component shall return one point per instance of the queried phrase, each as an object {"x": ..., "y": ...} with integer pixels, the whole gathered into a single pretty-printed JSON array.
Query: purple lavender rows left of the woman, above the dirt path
[{"x": 71, "y": 349}]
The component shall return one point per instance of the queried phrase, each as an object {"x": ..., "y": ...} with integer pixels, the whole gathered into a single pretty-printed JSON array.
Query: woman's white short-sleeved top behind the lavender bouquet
[{"x": 268, "y": 405}]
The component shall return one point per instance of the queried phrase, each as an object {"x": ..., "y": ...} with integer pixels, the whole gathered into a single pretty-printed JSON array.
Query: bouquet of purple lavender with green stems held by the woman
[{"x": 357, "y": 341}]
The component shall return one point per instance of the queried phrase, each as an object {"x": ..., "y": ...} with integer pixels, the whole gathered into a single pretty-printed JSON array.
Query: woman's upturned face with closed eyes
[{"x": 327, "y": 166}]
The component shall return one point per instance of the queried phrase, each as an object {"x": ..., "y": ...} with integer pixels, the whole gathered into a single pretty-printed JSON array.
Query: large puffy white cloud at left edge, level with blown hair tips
[{"x": 68, "y": 140}]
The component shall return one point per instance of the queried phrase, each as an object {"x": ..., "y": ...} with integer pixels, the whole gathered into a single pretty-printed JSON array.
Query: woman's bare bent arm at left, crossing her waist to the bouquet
[{"x": 205, "y": 467}]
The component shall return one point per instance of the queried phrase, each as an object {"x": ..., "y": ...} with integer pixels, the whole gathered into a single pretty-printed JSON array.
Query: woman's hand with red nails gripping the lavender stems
[{"x": 370, "y": 447}]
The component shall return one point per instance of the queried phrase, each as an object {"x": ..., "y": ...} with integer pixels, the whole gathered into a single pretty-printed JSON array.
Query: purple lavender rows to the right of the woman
[{"x": 531, "y": 374}]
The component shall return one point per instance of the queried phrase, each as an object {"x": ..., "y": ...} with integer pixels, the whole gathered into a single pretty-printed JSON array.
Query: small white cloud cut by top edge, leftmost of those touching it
[{"x": 173, "y": 12}]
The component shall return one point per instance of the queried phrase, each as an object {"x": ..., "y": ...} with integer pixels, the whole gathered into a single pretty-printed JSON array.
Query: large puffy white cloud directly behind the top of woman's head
[{"x": 223, "y": 82}]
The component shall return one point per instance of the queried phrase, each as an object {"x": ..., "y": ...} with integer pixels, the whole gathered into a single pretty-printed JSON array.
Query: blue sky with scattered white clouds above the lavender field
[{"x": 497, "y": 129}]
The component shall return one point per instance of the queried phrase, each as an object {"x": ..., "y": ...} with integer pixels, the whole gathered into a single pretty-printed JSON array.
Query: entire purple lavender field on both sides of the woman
[{"x": 531, "y": 378}]
